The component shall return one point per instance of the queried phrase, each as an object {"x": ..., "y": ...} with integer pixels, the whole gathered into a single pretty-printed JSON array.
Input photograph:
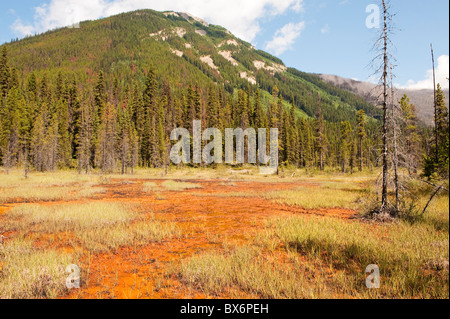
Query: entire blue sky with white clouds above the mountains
[{"x": 320, "y": 36}]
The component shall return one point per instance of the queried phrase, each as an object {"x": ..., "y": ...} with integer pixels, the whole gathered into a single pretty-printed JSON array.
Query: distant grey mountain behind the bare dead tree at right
[{"x": 422, "y": 99}]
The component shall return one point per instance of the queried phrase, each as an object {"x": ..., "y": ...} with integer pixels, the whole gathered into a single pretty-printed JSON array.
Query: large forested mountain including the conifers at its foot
[{"x": 108, "y": 94}]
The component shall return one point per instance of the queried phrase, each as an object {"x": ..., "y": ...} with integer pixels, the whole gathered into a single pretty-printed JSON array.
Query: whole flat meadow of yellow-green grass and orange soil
[{"x": 223, "y": 233}]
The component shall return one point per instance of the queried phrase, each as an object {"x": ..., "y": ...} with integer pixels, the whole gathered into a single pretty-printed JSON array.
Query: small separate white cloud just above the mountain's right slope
[{"x": 285, "y": 38}]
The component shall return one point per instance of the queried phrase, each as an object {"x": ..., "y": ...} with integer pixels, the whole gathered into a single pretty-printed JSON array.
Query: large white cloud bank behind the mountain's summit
[{"x": 240, "y": 17}]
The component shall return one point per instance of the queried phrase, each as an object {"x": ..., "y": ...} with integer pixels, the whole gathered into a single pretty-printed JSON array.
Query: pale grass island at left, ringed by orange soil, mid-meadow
[{"x": 96, "y": 226}]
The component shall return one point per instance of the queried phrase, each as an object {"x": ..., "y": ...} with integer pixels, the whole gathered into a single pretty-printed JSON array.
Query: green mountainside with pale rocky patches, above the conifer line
[{"x": 183, "y": 50}]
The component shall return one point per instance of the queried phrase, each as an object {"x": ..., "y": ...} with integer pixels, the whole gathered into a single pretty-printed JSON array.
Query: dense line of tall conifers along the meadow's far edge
[{"x": 56, "y": 122}]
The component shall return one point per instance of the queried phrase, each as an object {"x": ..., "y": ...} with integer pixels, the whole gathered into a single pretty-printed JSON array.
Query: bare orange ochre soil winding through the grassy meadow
[{"x": 206, "y": 217}]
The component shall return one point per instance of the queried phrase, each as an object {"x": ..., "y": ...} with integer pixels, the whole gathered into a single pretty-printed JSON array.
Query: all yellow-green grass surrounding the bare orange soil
[{"x": 296, "y": 257}]
